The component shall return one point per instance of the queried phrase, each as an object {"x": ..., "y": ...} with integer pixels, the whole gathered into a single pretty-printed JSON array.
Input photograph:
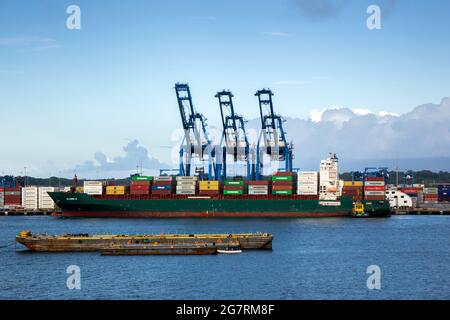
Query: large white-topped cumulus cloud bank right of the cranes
[{"x": 362, "y": 137}]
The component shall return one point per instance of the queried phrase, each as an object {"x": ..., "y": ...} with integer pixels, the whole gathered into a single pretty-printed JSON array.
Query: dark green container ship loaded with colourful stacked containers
[{"x": 284, "y": 195}]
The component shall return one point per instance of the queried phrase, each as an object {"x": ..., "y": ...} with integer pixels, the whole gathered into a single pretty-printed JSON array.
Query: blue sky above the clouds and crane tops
[{"x": 66, "y": 94}]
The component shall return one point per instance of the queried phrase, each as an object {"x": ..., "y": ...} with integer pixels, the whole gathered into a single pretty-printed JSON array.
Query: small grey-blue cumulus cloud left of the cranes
[{"x": 135, "y": 156}]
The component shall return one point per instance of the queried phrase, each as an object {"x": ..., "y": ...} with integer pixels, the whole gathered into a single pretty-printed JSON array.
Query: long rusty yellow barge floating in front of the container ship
[{"x": 86, "y": 242}]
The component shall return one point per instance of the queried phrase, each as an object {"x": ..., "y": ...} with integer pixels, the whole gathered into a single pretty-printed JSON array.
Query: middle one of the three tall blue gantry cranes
[{"x": 234, "y": 137}]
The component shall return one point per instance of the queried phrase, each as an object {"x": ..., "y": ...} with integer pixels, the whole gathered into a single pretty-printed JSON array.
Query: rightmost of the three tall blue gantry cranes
[{"x": 272, "y": 135}]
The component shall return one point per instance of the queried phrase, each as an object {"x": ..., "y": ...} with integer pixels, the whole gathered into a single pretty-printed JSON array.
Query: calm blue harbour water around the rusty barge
[{"x": 311, "y": 259}]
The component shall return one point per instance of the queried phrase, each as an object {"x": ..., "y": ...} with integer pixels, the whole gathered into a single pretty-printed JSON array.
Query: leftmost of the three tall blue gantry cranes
[{"x": 196, "y": 142}]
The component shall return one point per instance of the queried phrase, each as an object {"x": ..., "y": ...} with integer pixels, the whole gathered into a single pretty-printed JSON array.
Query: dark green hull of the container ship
[{"x": 83, "y": 205}]
